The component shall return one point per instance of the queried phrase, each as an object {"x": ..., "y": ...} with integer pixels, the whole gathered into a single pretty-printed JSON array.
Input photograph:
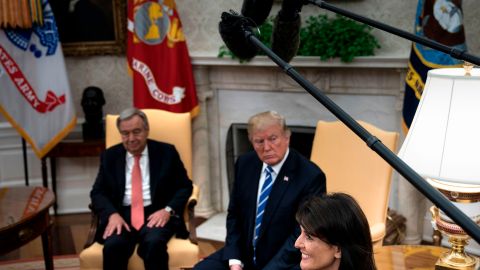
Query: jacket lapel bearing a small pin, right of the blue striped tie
[{"x": 279, "y": 189}]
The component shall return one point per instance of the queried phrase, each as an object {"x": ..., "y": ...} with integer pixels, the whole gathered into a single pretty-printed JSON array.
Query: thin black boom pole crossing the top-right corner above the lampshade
[{"x": 454, "y": 52}]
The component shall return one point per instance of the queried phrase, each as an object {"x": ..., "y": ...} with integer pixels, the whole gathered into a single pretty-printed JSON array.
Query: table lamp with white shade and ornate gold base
[{"x": 443, "y": 146}]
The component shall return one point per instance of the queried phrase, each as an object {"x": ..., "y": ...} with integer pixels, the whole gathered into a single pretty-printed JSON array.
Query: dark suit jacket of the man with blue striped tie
[{"x": 298, "y": 179}]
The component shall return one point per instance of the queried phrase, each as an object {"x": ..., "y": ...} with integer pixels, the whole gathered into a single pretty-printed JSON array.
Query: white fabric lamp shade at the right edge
[{"x": 443, "y": 142}]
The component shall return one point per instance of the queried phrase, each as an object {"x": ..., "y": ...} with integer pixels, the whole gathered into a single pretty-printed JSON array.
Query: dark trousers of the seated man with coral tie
[{"x": 152, "y": 248}]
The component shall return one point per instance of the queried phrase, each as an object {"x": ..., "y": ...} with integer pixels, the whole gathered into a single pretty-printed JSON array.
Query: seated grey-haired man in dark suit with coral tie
[{"x": 163, "y": 186}]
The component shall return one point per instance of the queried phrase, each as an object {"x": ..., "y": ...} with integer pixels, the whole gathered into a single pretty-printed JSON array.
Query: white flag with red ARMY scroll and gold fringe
[{"x": 34, "y": 89}]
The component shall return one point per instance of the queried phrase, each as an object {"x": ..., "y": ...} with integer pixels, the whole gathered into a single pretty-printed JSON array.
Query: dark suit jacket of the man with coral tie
[{"x": 169, "y": 183}]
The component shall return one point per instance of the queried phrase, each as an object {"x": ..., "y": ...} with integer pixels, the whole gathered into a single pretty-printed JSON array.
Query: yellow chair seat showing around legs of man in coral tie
[{"x": 182, "y": 253}]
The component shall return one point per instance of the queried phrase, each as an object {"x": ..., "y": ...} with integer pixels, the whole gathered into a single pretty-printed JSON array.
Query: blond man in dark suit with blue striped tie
[{"x": 270, "y": 183}]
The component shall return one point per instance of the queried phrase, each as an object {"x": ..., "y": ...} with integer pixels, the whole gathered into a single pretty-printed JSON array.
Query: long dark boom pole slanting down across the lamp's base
[{"x": 374, "y": 143}]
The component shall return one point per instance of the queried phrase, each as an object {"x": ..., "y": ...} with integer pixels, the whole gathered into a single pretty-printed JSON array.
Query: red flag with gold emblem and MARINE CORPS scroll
[{"x": 158, "y": 58}]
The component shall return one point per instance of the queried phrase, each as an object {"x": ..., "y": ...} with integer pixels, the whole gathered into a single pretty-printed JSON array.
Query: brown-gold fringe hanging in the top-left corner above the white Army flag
[{"x": 20, "y": 13}]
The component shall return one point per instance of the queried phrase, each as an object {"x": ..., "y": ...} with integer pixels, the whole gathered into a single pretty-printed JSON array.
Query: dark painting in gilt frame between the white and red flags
[{"x": 91, "y": 27}]
